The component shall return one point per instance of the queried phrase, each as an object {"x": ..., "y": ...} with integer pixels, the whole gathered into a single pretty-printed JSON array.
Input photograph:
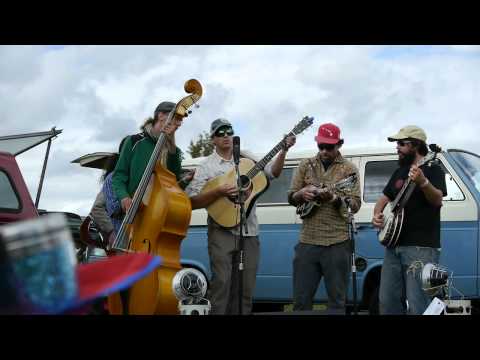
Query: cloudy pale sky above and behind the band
[{"x": 98, "y": 94}]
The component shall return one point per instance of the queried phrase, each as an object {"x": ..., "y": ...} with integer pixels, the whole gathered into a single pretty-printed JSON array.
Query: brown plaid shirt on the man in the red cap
[{"x": 329, "y": 223}]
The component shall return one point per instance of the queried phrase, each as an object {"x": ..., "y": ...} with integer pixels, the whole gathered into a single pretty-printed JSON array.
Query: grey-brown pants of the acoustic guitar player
[{"x": 223, "y": 292}]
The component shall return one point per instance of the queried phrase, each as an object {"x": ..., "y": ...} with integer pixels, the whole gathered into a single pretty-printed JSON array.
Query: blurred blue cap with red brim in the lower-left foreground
[{"x": 39, "y": 273}]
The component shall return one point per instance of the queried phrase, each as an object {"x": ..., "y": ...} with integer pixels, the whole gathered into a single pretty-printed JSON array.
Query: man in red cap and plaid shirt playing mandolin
[{"x": 324, "y": 248}]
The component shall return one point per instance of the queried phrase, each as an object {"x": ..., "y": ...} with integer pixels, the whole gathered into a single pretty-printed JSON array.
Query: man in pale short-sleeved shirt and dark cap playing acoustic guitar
[{"x": 221, "y": 241}]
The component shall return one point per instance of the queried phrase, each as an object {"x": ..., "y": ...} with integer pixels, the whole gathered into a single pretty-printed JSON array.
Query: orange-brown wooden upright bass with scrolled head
[{"x": 156, "y": 223}]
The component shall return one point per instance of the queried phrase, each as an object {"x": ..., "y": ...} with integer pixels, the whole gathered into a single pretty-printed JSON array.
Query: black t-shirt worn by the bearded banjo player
[{"x": 421, "y": 223}]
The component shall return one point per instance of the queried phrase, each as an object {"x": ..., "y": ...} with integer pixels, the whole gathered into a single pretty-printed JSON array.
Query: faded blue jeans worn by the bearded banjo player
[{"x": 401, "y": 279}]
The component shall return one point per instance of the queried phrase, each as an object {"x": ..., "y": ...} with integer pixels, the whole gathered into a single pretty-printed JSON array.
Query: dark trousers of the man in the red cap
[{"x": 311, "y": 263}]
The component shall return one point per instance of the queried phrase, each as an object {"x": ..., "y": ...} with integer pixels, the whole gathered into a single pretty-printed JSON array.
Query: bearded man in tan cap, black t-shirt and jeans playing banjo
[{"x": 419, "y": 239}]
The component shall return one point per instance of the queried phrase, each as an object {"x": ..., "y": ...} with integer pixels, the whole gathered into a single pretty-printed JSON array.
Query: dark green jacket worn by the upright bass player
[{"x": 133, "y": 160}]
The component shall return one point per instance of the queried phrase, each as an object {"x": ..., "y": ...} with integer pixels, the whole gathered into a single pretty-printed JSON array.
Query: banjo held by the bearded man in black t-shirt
[{"x": 394, "y": 211}]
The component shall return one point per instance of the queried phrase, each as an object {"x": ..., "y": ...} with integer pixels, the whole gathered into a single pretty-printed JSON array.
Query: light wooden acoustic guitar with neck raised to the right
[{"x": 226, "y": 211}]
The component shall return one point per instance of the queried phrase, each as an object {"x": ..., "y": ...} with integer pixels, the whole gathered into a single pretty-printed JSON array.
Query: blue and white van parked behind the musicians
[{"x": 280, "y": 227}]
